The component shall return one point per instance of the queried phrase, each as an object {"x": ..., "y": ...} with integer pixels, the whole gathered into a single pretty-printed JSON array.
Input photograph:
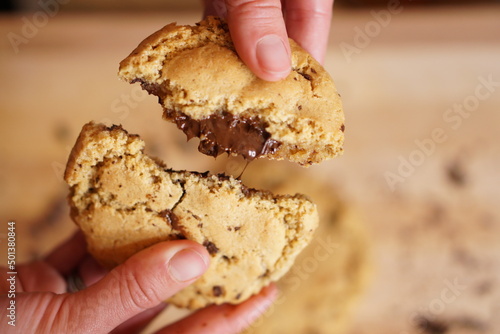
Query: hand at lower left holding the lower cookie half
[{"x": 123, "y": 300}]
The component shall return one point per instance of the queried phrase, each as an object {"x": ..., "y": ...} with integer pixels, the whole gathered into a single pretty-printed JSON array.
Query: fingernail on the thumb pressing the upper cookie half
[{"x": 272, "y": 55}]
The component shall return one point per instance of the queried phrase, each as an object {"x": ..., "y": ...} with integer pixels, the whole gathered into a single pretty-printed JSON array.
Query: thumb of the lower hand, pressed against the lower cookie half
[{"x": 142, "y": 282}]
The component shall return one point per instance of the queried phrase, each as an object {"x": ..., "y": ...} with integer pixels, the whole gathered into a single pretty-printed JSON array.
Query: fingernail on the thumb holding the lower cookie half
[{"x": 187, "y": 264}]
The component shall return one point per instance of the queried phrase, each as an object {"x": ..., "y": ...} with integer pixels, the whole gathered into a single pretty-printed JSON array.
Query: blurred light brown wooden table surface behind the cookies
[{"x": 421, "y": 91}]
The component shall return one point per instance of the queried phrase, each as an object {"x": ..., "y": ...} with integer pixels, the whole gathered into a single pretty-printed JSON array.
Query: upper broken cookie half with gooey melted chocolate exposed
[{"x": 207, "y": 90}]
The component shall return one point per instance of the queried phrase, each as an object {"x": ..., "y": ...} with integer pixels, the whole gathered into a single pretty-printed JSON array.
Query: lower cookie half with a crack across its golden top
[{"x": 124, "y": 201}]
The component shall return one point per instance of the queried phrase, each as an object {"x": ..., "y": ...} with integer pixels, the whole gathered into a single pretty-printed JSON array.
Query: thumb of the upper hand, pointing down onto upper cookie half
[{"x": 259, "y": 35}]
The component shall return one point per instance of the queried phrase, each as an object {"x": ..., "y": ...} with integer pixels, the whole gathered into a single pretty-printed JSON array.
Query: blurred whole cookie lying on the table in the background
[{"x": 327, "y": 278}]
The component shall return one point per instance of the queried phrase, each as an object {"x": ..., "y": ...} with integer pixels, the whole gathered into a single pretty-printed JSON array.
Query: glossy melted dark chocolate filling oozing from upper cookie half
[{"x": 221, "y": 132}]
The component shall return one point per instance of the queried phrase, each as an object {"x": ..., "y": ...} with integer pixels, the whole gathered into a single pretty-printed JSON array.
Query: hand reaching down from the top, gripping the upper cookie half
[{"x": 260, "y": 31}]
